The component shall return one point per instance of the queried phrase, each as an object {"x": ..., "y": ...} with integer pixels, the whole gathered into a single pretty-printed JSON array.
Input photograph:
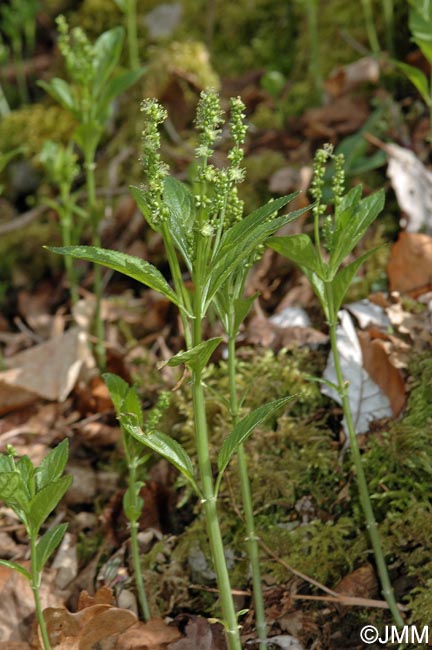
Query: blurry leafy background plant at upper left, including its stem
[{"x": 89, "y": 97}]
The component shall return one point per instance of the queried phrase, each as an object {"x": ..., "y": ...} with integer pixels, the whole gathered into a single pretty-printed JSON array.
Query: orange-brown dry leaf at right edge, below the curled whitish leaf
[{"x": 410, "y": 264}]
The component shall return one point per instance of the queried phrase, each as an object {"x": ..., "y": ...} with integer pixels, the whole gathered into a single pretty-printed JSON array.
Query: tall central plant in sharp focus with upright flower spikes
[{"x": 214, "y": 243}]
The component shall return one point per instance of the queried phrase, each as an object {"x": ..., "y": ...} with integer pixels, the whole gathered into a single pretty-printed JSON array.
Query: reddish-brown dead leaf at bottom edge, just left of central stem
[{"x": 154, "y": 635}]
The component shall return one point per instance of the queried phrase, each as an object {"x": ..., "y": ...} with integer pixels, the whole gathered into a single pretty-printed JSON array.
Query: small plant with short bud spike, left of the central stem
[{"x": 127, "y": 404}]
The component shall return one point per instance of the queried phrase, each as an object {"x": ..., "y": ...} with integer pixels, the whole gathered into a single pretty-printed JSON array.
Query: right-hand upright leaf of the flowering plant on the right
[{"x": 351, "y": 225}]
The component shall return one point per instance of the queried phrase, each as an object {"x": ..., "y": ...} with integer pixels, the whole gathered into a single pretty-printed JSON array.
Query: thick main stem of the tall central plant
[{"x": 207, "y": 485}]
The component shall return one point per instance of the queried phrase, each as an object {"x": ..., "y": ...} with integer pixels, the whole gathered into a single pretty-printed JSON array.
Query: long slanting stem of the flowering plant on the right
[{"x": 365, "y": 500}]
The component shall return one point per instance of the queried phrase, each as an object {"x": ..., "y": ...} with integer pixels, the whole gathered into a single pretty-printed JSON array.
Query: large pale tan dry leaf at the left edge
[{"x": 49, "y": 370}]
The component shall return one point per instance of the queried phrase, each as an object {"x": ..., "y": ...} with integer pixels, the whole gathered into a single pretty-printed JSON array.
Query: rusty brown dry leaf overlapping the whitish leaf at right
[{"x": 377, "y": 364}]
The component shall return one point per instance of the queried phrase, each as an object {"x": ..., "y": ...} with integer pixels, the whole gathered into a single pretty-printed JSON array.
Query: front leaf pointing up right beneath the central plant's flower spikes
[{"x": 237, "y": 245}]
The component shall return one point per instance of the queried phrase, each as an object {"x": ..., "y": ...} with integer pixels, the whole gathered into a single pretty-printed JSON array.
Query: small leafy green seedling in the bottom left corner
[{"x": 33, "y": 493}]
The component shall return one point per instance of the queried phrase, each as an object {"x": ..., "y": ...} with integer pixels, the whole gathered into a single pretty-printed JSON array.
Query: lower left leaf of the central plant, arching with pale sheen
[{"x": 168, "y": 448}]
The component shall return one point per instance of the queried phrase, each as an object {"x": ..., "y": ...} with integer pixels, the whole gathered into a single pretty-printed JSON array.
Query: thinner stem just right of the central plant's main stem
[{"x": 251, "y": 537}]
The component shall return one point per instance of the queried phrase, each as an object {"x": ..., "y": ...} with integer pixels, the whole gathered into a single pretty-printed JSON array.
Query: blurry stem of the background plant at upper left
[{"x": 89, "y": 162}]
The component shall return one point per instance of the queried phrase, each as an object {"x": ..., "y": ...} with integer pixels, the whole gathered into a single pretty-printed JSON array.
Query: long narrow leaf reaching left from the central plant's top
[{"x": 129, "y": 265}]
